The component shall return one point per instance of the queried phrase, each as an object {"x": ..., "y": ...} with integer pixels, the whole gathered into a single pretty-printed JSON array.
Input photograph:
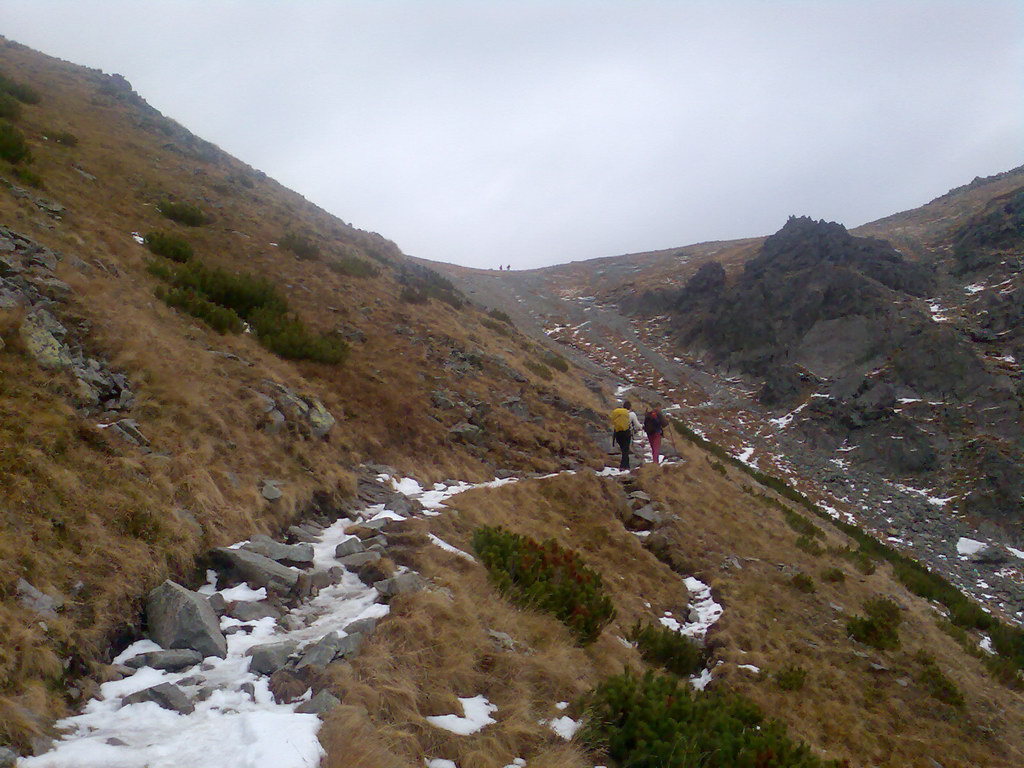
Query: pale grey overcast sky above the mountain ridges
[{"x": 531, "y": 134}]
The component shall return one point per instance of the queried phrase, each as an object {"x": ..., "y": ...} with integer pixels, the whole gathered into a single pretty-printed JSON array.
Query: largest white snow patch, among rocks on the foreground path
[{"x": 233, "y": 729}]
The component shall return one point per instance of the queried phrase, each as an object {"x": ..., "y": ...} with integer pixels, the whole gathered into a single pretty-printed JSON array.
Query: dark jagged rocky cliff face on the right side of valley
[{"x": 840, "y": 327}]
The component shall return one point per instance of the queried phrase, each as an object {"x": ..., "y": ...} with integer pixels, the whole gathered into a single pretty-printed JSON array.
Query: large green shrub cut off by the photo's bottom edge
[{"x": 658, "y": 722}]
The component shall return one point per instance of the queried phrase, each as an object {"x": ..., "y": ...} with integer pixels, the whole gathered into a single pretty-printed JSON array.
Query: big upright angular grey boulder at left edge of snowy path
[{"x": 182, "y": 619}]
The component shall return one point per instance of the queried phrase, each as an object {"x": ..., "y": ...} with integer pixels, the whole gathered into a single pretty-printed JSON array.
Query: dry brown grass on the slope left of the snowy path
[{"x": 198, "y": 408}]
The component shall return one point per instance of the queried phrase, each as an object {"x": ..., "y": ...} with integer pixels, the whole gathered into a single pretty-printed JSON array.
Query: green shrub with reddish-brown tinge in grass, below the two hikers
[{"x": 547, "y": 578}]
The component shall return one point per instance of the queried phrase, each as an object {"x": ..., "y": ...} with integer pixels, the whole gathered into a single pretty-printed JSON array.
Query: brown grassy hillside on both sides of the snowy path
[{"x": 238, "y": 315}]
